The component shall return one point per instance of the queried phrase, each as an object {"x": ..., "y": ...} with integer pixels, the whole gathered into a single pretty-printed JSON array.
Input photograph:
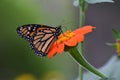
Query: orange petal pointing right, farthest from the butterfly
[{"x": 84, "y": 30}]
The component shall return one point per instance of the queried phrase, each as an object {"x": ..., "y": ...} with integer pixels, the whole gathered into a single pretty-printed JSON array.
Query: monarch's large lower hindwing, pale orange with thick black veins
[{"x": 42, "y": 41}]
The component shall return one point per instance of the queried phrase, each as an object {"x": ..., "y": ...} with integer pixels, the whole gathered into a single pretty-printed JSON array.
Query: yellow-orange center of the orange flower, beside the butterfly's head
[{"x": 65, "y": 36}]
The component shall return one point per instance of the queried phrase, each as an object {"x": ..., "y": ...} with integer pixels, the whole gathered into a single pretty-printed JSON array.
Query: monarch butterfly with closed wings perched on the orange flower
[{"x": 40, "y": 37}]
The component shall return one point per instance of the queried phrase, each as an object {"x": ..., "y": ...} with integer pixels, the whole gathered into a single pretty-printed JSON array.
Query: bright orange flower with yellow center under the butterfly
[{"x": 69, "y": 39}]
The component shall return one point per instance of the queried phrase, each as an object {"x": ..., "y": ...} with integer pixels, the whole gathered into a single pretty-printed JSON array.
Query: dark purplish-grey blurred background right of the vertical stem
[{"x": 104, "y": 16}]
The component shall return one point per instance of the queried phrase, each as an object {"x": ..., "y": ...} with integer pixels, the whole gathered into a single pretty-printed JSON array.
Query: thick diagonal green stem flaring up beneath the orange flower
[{"x": 83, "y": 62}]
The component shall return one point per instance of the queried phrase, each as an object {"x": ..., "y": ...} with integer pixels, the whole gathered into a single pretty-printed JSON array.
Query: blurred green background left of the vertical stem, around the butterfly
[{"x": 16, "y": 56}]
